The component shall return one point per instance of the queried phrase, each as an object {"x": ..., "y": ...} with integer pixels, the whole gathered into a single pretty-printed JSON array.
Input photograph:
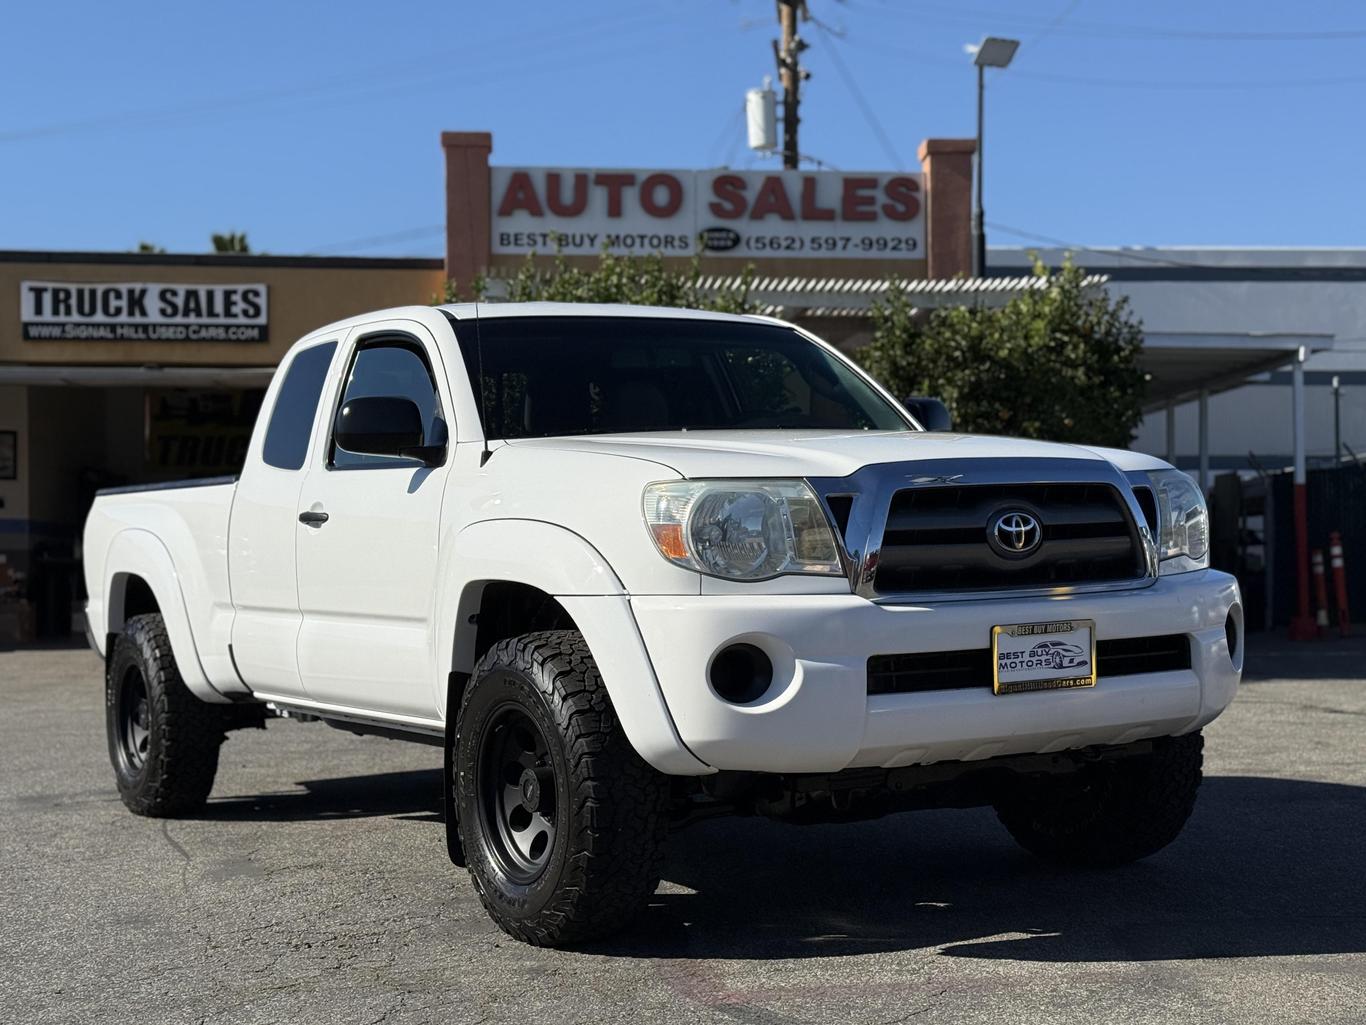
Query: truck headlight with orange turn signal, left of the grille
[{"x": 742, "y": 530}]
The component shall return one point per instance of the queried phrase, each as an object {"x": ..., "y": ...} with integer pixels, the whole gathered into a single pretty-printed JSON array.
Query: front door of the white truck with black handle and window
[{"x": 368, "y": 541}]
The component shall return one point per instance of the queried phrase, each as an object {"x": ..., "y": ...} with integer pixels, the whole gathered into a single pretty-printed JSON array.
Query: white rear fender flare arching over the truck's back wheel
[{"x": 137, "y": 553}]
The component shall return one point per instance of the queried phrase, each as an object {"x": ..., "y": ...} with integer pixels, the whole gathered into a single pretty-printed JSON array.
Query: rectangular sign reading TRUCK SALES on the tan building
[{"x": 143, "y": 312}]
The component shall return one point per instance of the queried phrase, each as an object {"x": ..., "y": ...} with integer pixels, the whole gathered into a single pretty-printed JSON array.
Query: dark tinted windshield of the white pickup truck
[{"x": 551, "y": 377}]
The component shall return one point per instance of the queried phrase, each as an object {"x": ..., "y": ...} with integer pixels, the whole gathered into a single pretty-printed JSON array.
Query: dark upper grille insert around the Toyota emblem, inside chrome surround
[{"x": 936, "y": 539}]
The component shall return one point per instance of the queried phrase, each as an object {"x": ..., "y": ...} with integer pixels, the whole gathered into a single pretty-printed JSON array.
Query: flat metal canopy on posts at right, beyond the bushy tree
[{"x": 1184, "y": 366}]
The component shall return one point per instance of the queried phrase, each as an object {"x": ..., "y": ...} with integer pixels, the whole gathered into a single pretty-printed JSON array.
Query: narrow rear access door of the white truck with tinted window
[{"x": 263, "y": 527}]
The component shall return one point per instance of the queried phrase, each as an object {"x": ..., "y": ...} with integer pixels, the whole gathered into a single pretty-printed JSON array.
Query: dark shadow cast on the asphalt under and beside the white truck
[{"x": 1267, "y": 867}]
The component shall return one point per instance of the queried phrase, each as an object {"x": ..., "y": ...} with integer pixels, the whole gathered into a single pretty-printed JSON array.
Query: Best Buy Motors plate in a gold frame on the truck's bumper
[{"x": 1044, "y": 657}]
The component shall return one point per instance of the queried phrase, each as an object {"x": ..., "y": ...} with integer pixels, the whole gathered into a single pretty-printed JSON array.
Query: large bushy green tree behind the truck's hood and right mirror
[{"x": 1058, "y": 364}]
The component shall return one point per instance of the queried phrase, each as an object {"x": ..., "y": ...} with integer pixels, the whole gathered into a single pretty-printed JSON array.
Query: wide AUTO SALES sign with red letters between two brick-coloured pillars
[{"x": 734, "y": 214}]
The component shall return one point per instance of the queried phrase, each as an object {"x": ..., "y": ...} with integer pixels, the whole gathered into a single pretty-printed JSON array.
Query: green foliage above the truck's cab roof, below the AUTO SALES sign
[{"x": 643, "y": 281}]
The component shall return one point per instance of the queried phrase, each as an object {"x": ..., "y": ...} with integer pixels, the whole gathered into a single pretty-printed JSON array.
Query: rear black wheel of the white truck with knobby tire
[{"x": 163, "y": 740}]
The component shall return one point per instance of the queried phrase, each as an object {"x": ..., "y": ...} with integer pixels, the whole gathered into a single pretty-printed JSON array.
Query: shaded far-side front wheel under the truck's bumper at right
[{"x": 1113, "y": 812}]
